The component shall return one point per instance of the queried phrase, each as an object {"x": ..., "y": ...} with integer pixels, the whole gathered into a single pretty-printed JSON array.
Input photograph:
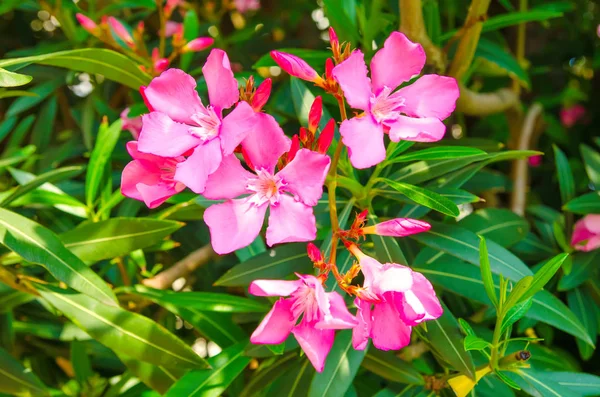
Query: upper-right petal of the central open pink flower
[{"x": 305, "y": 174}]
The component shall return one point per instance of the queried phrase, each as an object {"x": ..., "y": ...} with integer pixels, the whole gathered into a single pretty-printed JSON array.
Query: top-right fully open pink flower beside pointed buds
[{"x": 412, "y": 113}]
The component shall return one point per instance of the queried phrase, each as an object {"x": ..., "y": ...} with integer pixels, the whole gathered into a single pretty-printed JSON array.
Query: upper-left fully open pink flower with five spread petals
[{"x": 179, "y": 124}]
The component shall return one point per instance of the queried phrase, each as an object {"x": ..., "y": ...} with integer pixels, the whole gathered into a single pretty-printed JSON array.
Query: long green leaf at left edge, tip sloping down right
[{"x": 39, "y": 245}]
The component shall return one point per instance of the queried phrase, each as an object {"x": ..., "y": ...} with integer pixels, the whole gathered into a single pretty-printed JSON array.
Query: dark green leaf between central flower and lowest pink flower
[{"x": 278, "y": 262}]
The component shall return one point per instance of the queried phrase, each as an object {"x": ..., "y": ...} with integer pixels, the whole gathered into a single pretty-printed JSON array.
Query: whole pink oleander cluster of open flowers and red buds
[{"x": 228, "y": 149}]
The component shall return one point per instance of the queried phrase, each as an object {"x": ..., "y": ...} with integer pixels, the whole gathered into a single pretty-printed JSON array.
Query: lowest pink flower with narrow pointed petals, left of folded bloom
[{"x": 310, "y": 313}]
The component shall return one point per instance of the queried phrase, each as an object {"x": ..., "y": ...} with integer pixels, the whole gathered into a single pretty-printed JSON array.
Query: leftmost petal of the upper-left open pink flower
[{"x": 164, "y": 137}]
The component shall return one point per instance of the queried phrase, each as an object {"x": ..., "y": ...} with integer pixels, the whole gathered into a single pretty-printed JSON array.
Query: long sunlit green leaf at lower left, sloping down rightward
[{"x": 122, "y": 331}]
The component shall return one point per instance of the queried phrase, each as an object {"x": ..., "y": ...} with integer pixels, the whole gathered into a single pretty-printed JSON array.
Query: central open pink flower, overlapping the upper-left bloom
[{"x": 290, "y": 193}]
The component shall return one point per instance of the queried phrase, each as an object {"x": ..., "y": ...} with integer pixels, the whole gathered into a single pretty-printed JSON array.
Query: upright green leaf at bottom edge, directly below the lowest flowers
[{"x": 340, "y": 368}]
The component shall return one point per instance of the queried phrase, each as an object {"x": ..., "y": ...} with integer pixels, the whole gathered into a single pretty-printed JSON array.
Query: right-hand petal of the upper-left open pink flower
[{"x": 237, "y": 125}]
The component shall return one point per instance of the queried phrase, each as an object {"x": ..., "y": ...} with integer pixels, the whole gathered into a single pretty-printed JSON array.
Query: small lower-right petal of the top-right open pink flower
[{"x": 418, "y": 130}]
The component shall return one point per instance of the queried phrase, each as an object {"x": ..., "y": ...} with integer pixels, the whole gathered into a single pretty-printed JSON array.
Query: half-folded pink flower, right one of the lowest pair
[{"x": 398, "y": 299}]
